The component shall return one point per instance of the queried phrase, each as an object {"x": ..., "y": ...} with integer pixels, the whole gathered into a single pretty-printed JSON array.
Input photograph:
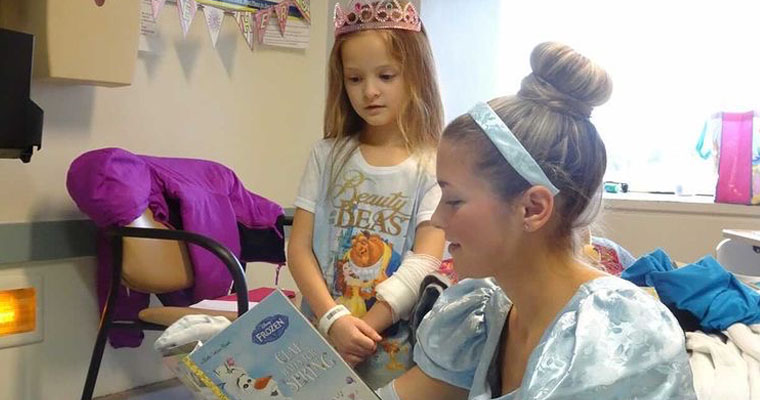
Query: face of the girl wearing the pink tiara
[{"x": 372, "y": 78}]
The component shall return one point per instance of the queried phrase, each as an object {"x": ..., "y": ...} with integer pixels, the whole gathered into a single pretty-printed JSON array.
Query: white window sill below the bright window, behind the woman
[{"x": 673, "y": 204}]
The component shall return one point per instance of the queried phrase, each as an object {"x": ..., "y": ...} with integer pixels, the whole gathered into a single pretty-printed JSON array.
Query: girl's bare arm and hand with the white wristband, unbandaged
[{"x": 353, "y": 338}]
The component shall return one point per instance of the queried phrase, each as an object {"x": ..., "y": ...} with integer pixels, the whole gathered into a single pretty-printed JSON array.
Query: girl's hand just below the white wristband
[{"x": 354, "y": 339}]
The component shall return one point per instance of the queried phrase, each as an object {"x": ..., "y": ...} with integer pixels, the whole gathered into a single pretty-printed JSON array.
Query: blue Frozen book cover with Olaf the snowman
[{"x": 273, "y": 352}]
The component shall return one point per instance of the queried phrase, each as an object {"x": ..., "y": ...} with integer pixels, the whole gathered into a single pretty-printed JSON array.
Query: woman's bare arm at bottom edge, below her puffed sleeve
[{"x": 415, "y": 384}]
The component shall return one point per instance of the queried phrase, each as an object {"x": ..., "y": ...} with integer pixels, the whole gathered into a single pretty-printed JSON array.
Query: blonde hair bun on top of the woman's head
[{"x": 565, "y": 81}]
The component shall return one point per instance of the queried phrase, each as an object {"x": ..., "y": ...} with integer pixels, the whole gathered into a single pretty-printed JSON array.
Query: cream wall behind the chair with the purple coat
[{"x": 256, "y": 112}]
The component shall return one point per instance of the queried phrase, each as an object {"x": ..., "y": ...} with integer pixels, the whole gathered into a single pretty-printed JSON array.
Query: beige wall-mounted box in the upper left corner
[{"x": 77, "y": 41}]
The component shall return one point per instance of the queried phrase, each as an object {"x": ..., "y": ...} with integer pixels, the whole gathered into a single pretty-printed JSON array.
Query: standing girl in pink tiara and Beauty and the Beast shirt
[{"x": 368, "y": 192}]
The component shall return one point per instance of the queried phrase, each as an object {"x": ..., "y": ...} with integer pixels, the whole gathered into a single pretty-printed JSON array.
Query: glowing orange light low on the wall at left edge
[{"x": 18, "y": 311}]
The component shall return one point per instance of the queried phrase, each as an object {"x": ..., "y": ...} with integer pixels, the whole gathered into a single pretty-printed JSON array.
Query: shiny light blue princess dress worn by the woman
[{"x": 611, "y": 341}]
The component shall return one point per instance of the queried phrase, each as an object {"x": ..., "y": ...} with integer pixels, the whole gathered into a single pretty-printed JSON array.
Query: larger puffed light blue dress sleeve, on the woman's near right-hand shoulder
[{"x": 614, "y": 343}]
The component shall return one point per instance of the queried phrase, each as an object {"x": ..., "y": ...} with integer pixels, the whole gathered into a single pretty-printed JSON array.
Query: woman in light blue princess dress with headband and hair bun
[{"x": 519, "y": 176}]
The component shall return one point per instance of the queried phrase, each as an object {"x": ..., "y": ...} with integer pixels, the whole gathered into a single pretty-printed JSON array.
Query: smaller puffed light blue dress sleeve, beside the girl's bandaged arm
[{"x": 452, "y": 336}]
